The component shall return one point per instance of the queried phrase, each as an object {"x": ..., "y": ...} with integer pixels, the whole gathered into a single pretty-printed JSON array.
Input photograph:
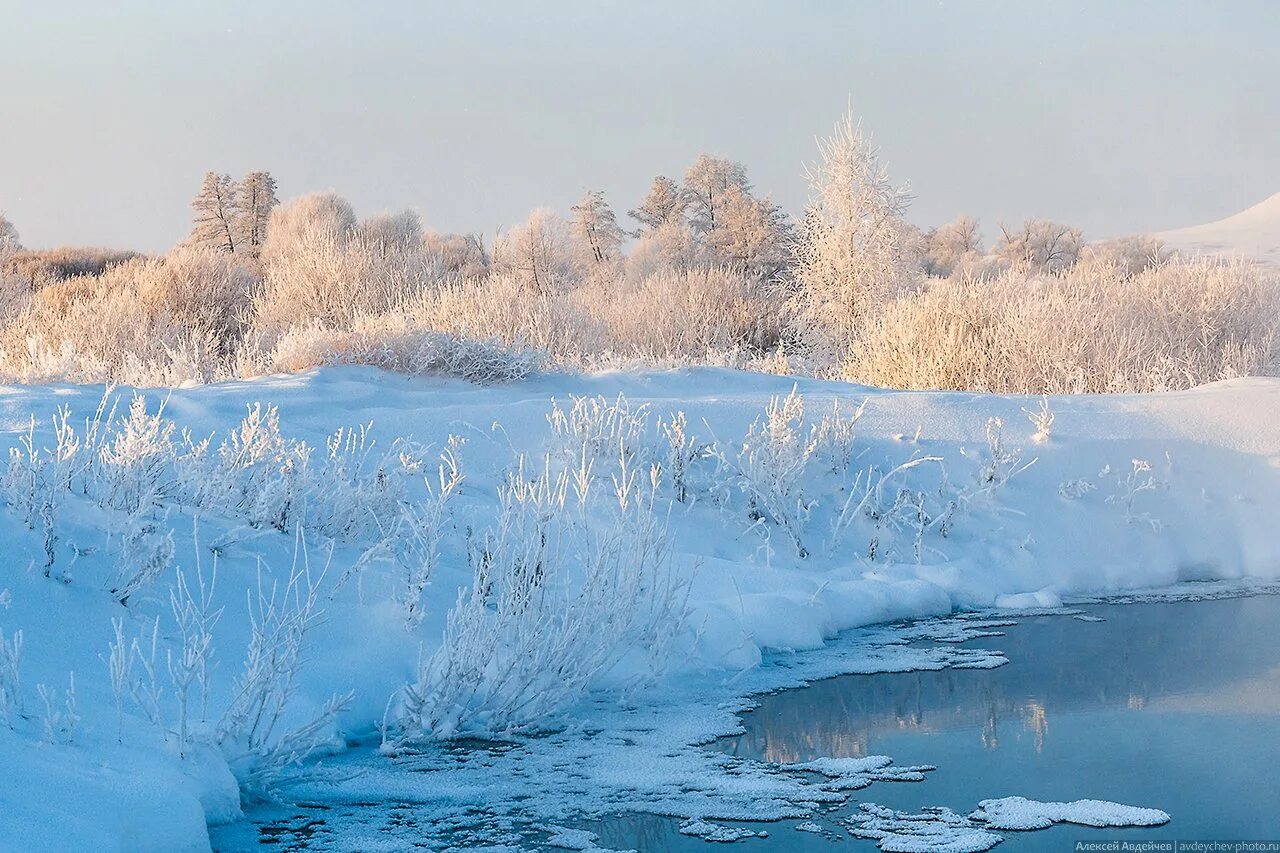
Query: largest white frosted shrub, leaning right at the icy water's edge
[{"x": 559, "y": 596}]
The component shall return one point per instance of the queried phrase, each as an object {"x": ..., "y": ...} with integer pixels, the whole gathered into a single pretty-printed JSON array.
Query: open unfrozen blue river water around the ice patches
[{"x": 1174, "y": 706}]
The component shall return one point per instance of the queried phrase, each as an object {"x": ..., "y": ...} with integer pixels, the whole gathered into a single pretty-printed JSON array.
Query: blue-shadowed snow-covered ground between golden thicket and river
[{"x": 808, "y": 526}]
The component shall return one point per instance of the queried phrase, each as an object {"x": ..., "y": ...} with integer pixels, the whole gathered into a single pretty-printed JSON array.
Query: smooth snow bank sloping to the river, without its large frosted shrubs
[{"x": 915, "y": 513}]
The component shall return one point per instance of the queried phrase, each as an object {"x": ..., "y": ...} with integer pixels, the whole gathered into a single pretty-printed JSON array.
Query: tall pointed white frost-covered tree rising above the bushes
[{"x": 854, "y": 248}]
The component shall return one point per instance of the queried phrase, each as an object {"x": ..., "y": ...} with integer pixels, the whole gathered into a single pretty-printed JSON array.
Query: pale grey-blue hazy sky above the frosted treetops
[{"x": 1116, "y": 117}]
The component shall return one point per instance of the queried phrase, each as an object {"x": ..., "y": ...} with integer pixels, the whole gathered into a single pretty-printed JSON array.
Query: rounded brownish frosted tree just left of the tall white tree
[{"x": 752, "y": 236}]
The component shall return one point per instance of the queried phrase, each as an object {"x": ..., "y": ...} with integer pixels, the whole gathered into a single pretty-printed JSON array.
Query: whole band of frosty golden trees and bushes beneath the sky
[{"x": 712, "y": 273}]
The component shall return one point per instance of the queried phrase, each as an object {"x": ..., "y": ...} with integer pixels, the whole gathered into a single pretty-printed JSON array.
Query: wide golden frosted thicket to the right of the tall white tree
[{"x": 1094, "y": 329}]
